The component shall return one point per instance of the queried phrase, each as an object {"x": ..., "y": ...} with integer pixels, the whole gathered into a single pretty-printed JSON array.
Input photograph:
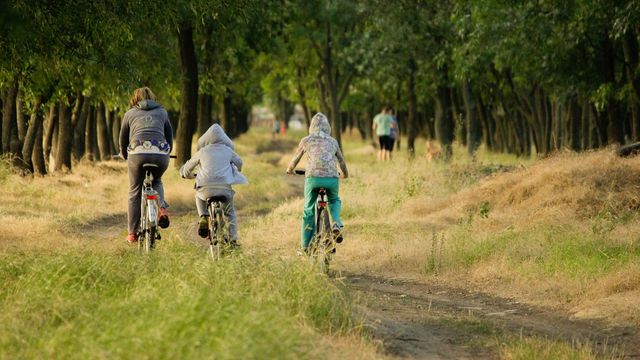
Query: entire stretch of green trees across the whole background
[{"x": 517, "y": 77}]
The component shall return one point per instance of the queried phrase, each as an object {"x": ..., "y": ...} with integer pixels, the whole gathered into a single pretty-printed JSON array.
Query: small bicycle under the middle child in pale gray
[{"x": 219, "y": 240}]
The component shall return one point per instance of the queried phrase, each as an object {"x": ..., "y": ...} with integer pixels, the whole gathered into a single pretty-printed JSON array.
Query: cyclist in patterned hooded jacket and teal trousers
[{"x": 323, "y": 156}]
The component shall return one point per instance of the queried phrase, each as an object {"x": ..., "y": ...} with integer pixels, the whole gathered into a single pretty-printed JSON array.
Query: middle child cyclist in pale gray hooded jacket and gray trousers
[{"x": 217, "y": 167}]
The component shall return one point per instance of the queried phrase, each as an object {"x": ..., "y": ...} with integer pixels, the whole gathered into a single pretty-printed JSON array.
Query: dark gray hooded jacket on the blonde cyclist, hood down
[{"x": 146, "y": 124}]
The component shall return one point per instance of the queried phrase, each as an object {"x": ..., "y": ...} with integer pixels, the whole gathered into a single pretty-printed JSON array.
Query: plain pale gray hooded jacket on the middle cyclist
[{"x": 215, "y": 163}]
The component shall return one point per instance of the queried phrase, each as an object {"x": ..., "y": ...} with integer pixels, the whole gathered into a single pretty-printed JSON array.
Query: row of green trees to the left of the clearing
[{"x": 68, "y": 68}]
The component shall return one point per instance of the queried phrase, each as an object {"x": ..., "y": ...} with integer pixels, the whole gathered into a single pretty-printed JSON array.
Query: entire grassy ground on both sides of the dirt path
[{"x": 561, "y": 232}]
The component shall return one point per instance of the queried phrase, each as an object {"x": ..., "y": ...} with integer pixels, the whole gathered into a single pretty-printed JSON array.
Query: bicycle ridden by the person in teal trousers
[{"x": 323, "y": 244}]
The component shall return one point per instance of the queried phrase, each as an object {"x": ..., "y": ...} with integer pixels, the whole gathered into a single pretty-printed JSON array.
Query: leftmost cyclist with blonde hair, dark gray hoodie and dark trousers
[{"x": 146, "y": 137}]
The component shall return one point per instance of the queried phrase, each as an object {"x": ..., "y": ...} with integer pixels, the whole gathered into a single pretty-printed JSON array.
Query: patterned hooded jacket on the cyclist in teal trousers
[{"x": 323, "y": 152}]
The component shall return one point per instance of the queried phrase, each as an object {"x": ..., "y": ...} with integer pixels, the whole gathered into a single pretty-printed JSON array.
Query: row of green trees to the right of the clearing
[{"x": 517, "y": 76}]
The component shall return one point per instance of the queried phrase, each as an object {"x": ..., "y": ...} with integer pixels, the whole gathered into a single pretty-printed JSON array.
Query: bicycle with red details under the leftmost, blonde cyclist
[{"x": 149, "y": 210}]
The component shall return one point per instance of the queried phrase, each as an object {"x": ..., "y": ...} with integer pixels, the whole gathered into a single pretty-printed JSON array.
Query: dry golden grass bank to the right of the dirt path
[{"x": 562, "y": 231}]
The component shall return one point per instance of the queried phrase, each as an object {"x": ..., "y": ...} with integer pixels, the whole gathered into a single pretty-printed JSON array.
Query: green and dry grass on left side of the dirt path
[{"x": 72, "y": 288}]
